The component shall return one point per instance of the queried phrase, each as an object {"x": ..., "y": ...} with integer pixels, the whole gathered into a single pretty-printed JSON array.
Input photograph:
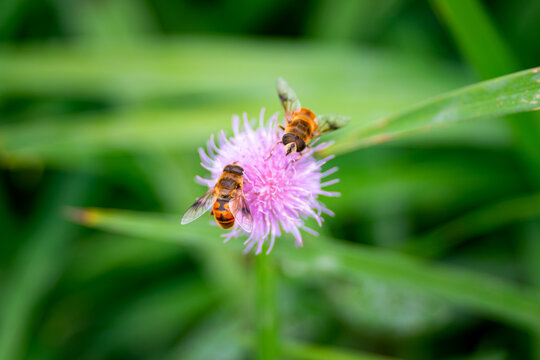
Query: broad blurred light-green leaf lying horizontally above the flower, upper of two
[{"x": 194, "y": 69}]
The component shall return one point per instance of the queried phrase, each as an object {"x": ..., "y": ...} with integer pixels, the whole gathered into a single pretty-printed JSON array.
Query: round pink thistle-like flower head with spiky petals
[{"x": 280, "y": 197}]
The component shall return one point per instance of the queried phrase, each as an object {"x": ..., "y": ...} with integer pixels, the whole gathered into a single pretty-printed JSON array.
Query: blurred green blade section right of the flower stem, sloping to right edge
[{"x": 483, "y": 293}]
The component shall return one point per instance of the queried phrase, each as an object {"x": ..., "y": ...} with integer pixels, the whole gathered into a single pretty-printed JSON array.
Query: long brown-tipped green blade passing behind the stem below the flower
[{"x": 476, "y": 291}]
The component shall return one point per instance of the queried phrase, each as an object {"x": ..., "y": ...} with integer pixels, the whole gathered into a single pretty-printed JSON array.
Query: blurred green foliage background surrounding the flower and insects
[{"x": 103, "y": 103}]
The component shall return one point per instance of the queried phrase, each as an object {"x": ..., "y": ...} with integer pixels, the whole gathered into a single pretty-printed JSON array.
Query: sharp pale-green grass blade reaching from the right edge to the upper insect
[{"x": 518, "y": 92}]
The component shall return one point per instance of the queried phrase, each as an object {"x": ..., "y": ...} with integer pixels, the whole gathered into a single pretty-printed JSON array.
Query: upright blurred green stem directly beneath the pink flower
[{"x": 265, "y": 314}]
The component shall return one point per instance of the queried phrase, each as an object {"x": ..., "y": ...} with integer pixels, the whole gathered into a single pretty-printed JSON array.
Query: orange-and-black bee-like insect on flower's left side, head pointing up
[{"x": 226, "y": 199}]
